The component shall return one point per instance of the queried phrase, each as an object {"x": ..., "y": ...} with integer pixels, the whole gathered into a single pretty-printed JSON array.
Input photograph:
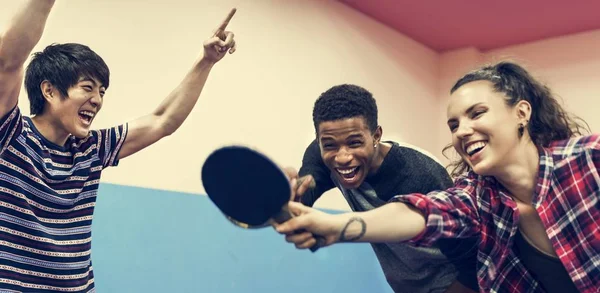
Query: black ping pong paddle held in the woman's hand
[{"x": 248, "y": 188}]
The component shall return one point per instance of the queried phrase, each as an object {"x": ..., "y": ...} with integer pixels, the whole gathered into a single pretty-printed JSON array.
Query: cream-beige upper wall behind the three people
[{"x": 288, "y": 53}]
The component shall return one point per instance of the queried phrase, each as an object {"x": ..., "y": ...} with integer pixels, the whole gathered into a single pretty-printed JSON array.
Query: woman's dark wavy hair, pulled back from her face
[{"x": 549, "y": 120}]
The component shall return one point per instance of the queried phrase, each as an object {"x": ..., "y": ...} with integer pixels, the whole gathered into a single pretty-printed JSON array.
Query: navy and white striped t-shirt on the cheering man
[{"x": 47, "y": 199}]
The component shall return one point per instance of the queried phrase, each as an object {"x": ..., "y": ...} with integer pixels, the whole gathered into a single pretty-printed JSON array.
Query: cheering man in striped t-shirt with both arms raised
[{"x": 50, "y": 164}]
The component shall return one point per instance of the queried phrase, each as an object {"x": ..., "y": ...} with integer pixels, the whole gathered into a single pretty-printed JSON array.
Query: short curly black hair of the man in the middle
[{"x": 345, "y": 101}]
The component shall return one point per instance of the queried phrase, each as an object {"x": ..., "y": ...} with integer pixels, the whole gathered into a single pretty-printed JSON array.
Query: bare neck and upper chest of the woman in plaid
[{"x": 519, "y": 174}]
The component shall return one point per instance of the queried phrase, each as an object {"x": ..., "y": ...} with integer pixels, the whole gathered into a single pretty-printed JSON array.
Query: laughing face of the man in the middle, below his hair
[{"x": 348, "y": 149}]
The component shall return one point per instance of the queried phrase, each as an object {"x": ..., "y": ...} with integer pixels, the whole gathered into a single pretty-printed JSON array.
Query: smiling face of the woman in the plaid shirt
[{"x": 483, "y": 126}]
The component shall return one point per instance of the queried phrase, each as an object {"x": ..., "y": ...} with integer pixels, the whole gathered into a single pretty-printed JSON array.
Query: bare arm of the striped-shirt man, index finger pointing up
[{"x": 176, "y": 107}]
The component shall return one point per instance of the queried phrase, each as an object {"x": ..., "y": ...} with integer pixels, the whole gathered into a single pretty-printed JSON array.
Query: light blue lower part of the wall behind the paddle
[{"x": 147, "y": 240}]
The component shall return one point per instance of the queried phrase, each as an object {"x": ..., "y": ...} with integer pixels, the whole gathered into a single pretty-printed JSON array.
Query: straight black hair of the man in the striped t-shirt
[{"x": 62, "y": 65}]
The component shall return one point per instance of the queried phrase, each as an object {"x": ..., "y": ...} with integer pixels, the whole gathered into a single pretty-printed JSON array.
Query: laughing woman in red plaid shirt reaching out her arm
[{"x": 528, "y": 188}]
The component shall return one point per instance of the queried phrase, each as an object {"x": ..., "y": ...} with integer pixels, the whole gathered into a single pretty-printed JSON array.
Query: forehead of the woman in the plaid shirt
[{"x": 472, "y": 93}]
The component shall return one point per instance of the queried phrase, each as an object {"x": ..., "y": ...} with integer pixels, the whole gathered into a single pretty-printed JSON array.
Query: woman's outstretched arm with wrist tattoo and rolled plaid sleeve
[{"x": 417, "y": 218}]
